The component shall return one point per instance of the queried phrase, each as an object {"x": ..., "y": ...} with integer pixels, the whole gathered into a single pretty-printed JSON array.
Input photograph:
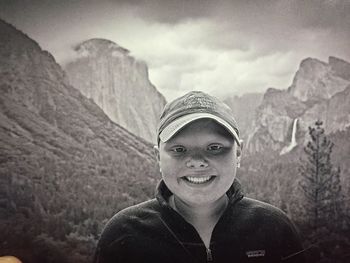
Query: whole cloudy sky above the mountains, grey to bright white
[{"x": 218, "y": 46}]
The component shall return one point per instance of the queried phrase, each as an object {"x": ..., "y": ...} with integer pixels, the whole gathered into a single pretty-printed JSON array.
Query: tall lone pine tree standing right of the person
[{"x": 320, "y": 184}]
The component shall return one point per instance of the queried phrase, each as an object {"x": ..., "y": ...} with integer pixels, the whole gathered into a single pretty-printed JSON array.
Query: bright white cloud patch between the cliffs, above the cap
[{"x": 185, "y": 57}]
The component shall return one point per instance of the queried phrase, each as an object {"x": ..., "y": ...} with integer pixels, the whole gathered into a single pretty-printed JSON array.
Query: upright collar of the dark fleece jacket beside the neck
[{"x": 163, "y": 193}]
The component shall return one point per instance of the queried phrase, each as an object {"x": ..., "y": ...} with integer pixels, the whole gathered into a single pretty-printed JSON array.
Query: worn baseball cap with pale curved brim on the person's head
[{"x": 193, "y": 106}]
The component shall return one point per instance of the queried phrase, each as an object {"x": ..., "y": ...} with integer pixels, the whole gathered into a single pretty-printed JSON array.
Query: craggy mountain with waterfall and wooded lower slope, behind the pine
[{"x": 275, "y": 152}]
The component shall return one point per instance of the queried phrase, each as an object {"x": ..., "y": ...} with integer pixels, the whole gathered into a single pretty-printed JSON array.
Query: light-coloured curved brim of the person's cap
[{"x": 175, "y": 126}]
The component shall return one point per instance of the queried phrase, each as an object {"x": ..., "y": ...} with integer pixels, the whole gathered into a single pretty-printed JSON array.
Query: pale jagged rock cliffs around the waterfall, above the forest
[{"x": 319, "y": 91}]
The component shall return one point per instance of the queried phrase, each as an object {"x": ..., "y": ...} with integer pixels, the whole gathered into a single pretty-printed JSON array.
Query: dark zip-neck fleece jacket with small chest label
[{"x": 248, "y": 231}]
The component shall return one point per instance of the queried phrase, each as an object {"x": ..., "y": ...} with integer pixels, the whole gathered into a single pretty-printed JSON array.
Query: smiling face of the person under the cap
[{"x": 199, "y": 163}]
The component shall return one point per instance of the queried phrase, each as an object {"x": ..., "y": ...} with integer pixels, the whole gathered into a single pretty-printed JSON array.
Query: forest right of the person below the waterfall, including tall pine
[{"x": 311, "y": 185}]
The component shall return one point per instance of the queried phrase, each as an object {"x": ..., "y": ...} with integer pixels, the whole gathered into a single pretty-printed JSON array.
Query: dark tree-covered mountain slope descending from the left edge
[{"x": 65, "y": 167}]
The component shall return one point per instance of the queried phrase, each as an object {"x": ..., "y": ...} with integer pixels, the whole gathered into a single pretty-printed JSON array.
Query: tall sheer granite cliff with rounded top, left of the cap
[{"x": 119, "y": 84}]
